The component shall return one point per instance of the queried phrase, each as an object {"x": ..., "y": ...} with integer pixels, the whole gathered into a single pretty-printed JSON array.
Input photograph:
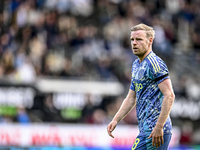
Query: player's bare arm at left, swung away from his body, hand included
[{"x": 125, "y": 108}]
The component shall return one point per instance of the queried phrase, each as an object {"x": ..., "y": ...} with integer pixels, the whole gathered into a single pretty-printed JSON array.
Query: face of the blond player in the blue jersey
[{"x": 139, "y": 42}]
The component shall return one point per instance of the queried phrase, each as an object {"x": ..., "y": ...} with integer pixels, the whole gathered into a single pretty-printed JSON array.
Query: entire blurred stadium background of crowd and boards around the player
[{"x": 65, "y": 68}]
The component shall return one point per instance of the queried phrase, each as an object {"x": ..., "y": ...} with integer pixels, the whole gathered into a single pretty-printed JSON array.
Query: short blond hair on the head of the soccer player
[{"x": 149, "y": 30}]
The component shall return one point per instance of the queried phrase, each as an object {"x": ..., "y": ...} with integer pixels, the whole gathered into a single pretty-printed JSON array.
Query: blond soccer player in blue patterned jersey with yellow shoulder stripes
[{"x": 151, "y": 91}]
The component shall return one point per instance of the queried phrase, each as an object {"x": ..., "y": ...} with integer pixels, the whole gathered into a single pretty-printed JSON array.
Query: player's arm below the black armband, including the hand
[{"x": 166, "y": 88}]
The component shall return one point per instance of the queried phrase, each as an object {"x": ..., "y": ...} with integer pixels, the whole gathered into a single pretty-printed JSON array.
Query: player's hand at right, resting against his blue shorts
[{"x": 157, "y": 136}]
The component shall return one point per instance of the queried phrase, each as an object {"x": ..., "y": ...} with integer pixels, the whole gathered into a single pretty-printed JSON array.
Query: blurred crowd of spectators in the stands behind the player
[{"x": 89, "y": 39}]
